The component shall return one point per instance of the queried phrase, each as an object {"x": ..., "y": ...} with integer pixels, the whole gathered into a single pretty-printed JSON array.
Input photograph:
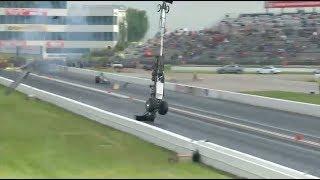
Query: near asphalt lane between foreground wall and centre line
[{"x": 300, "y": 158}]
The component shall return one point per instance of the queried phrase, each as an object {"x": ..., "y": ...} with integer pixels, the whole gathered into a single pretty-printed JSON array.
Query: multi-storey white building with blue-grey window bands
[{"x": 50, "y": 27}]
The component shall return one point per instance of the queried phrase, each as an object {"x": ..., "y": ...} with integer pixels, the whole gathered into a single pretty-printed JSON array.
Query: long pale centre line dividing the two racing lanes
[{"x": 275, "y": 134}]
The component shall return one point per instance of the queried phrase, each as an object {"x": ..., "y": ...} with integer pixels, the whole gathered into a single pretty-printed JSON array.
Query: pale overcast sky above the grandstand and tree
[{"x": 193, "y": 15}]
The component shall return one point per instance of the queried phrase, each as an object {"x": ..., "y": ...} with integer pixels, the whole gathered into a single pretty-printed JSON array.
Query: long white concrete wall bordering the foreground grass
[{"x": 237, "y": 163}]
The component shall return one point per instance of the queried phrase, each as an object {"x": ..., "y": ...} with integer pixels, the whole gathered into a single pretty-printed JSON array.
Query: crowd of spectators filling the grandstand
[{"x": 265, "y": 38}]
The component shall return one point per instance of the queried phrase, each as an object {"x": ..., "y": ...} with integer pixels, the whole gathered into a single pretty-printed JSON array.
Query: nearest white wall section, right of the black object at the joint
[{"x": 251, "y": 167}]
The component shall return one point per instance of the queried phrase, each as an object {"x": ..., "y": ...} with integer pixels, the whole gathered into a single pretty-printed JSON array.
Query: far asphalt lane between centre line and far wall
[{"x": 276, "y": 119}]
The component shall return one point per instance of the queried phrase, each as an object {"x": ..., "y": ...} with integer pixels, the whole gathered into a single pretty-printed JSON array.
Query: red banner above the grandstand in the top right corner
[{"x": 291, "y": 4}]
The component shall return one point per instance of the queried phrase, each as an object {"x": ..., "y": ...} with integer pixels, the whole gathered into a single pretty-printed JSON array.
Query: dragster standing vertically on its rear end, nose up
[{"x": 156, "y": 102}]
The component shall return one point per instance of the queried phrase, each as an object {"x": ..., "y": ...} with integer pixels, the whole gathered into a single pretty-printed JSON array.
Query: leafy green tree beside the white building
[{"x": 138, "y": 24}]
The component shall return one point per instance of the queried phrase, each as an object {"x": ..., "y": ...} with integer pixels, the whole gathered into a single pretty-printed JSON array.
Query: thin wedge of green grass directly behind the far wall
[{"x": 293, "y": 96}]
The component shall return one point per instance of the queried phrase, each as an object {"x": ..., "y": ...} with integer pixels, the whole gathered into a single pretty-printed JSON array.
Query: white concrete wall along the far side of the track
[{"x": 272, "y": 103}]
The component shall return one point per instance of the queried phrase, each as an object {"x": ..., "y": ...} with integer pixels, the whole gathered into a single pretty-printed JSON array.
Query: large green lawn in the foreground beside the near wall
[{"x": 40, "y": 140}]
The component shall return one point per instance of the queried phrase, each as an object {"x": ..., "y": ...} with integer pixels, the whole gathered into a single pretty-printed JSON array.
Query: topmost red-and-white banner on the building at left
[{"x": 25, "y": 12}]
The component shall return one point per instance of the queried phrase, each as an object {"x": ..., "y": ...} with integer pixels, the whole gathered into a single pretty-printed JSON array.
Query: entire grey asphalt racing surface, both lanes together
[{"x": 292, "y": 155}]
